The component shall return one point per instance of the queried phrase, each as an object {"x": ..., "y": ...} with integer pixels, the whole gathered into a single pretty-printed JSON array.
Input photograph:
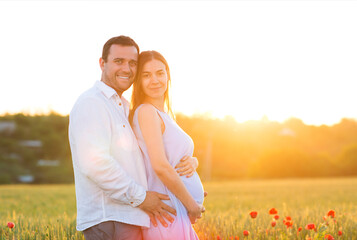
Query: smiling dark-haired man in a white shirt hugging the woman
[{"x": 110, "y": 179}]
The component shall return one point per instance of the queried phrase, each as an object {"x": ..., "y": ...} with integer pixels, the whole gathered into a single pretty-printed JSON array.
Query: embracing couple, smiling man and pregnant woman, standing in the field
[{"x": 134, "y": 172}]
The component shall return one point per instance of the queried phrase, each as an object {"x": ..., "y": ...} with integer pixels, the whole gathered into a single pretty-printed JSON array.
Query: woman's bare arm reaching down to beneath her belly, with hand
[{"x": 150, "y": 125}]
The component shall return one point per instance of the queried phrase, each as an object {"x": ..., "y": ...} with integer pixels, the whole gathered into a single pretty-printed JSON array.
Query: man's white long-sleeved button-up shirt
[{"x": 110, "y": 176}]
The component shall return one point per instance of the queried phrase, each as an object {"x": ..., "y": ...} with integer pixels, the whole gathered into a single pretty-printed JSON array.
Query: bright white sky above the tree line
[{"x": 246, "y": 59}]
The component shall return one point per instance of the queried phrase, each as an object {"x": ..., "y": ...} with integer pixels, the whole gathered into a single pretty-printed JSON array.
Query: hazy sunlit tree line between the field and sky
[{"x": 225, "y": 149}]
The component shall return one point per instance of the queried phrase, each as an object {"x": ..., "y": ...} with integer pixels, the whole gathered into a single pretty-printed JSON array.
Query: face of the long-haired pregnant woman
[{"x": 154, "y": 79}]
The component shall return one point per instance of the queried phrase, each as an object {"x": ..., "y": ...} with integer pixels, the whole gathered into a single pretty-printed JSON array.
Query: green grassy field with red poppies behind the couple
[{"x": 48, "y": 211}]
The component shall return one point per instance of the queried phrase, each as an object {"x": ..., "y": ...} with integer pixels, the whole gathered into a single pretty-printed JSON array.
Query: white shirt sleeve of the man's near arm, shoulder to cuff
[{"x": 90, "y": 132}]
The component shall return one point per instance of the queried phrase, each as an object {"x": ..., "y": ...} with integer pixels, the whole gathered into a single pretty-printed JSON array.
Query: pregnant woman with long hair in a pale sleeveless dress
[{"x": 163, "y": 144}]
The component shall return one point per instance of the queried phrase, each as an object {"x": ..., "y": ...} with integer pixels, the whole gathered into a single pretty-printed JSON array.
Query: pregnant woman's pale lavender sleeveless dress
[{"x": 177, "y": 145}]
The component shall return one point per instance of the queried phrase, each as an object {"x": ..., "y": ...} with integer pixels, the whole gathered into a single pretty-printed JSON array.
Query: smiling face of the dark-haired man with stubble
[{"x": 119, "y": 70}]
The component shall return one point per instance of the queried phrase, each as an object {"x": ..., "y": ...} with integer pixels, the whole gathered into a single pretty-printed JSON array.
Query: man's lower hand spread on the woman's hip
[{"x": 155, "y": 208}]
